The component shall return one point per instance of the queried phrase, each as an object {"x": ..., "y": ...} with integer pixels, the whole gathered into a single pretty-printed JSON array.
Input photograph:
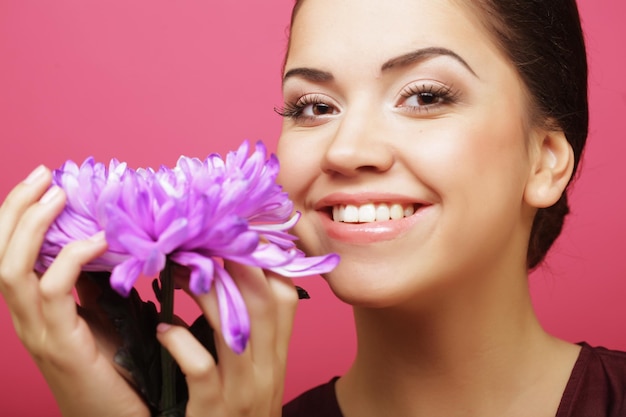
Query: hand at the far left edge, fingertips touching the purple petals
[{"x": 77, "y": 366}]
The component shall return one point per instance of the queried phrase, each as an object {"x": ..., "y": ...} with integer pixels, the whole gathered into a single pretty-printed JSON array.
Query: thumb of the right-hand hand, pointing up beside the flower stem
[{"x": 198, "y": 366}]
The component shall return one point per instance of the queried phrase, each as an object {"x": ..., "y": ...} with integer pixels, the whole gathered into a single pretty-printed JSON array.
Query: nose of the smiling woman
[{"x": 358, "y": 144}]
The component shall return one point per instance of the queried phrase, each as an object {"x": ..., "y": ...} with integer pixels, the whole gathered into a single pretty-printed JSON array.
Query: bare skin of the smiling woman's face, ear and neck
[{"x": 441, "y": 302}]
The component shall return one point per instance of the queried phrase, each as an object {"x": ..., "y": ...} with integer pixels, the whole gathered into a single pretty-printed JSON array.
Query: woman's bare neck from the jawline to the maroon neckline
[{"x": 469, "y": 351}]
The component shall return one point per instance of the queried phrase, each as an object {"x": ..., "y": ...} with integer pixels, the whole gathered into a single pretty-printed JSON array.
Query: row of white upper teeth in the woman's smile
[{"x": 371, "y": 212}]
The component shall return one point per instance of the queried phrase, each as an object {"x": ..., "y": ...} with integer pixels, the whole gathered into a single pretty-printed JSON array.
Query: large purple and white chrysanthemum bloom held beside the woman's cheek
[{"x": 196, "y": 214}]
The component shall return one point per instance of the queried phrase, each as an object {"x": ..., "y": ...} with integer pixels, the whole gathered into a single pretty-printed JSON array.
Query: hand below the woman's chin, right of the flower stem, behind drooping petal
[{"x": 249, "y": 384}]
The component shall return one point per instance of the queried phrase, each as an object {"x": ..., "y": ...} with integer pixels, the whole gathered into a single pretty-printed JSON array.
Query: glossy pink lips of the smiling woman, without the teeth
[{"x": 364, "y": 233}]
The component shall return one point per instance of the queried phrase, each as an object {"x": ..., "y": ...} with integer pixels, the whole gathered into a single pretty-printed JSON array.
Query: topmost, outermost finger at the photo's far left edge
[{"x": 18, "y": 200}]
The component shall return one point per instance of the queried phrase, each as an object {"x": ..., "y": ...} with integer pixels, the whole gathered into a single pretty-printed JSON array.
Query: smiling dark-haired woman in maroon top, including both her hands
[{"x": 430, "y": 144}]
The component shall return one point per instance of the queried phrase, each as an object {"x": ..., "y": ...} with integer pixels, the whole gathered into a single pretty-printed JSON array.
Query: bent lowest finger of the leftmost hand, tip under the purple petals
[{"x": 58, "y": 306}]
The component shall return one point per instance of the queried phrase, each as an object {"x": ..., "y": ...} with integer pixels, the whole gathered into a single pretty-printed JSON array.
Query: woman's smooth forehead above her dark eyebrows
[{"x": 374, "y": 30}]
